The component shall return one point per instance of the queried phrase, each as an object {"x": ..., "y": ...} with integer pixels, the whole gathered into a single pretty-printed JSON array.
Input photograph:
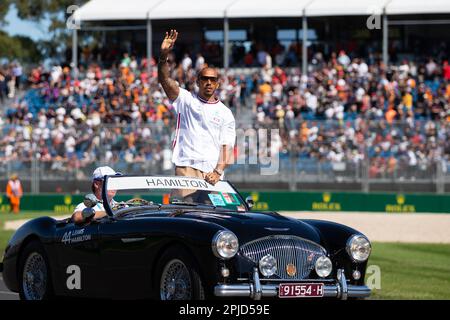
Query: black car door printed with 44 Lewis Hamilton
[{"x": 78, "y": 259}]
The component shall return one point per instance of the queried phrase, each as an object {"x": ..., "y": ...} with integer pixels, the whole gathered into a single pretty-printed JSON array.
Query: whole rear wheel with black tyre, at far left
[{"x": 34, "y": 273}]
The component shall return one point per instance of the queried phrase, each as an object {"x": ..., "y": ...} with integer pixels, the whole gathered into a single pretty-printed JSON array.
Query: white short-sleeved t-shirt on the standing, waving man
[{"x": 202, "y": 128}]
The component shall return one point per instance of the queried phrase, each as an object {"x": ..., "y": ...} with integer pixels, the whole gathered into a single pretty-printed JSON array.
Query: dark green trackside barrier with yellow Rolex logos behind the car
[{"x": 274, "y": 200}]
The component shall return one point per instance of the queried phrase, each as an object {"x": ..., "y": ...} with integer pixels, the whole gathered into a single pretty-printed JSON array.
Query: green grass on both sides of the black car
[{"x": 408, "y": 271}]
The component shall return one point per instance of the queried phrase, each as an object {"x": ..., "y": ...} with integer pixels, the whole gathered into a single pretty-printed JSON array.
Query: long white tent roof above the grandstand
[{"x": 182, "y": 9}]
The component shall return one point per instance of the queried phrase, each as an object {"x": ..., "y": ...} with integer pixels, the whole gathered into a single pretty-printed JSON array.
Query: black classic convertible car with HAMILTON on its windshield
[{"x": 180, "y": 238}]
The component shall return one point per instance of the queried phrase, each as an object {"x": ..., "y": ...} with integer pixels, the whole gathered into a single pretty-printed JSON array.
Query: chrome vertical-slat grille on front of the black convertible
[{"x": 292, "y": 254}]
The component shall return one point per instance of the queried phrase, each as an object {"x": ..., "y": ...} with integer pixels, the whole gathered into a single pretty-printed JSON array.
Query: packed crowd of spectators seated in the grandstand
[{"x": 346, "y": 110}]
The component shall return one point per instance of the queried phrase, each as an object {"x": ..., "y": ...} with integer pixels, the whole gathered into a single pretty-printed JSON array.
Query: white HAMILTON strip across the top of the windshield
[{"x": 130, "y": 183}]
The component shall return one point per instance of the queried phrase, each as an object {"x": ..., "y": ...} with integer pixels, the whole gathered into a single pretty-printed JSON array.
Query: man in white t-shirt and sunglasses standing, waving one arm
[{"x": 205, "y": 131}]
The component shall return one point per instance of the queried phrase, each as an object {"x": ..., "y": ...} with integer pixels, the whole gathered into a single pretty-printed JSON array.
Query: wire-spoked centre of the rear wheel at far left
[{"x": 34, "y": 277}]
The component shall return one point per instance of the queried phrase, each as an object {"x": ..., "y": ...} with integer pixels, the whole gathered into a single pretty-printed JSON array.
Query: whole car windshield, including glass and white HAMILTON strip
[{"x": 130, "y": 191}]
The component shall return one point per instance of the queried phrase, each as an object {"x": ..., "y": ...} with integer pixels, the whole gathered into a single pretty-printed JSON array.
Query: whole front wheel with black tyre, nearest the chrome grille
[{"x": 177, "y": 276}]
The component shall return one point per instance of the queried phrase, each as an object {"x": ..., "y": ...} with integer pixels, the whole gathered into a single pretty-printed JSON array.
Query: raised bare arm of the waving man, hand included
[{"x": 169, "y": 85}]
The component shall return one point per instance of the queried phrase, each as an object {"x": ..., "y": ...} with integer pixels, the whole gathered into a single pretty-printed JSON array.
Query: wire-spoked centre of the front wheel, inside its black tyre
[{"x": 175, "y": 282}]
